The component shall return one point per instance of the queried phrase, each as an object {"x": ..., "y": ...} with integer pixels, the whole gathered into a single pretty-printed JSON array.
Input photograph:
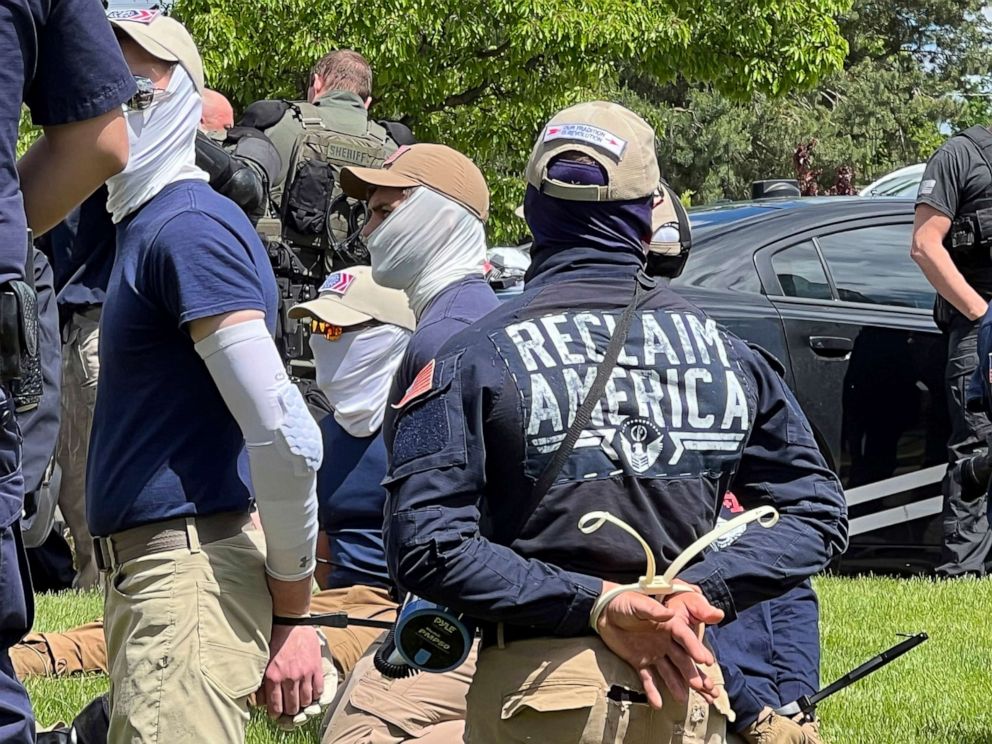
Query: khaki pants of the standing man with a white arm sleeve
[{"x": 187, "y": 642}]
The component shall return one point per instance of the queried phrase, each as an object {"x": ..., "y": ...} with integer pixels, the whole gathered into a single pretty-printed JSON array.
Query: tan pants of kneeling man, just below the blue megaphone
[{"x": 371, "y": 709}]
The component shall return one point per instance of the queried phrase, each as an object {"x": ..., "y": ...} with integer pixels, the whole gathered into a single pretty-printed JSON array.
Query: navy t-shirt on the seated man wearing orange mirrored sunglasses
[{"x": 351, "y": 496}]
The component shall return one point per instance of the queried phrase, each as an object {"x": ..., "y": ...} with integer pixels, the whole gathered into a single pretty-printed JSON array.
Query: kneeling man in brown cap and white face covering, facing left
[{"x": 425, "y": 236}]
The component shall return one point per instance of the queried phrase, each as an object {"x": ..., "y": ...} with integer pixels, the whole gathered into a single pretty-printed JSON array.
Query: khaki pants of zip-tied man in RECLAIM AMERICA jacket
[{"x": 554, "y": 691}]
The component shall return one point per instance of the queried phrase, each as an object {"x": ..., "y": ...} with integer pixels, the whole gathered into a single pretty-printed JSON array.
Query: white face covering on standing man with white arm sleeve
[{"x": 163, "y": 146}]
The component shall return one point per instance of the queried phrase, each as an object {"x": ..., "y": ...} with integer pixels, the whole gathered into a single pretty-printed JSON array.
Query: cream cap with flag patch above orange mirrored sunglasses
[{"x": 350, "y": 297}]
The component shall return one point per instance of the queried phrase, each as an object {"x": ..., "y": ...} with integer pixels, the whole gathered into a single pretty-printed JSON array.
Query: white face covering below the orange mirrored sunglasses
[{"x": 355, "y": 373}]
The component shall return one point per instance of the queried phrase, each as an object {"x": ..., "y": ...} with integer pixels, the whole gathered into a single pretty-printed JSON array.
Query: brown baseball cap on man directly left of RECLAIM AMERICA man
[{"x": 437, "y": 167}]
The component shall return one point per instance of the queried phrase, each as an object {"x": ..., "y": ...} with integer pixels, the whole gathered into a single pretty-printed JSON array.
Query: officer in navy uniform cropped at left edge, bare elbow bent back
[{"x": 60, "y": 59}]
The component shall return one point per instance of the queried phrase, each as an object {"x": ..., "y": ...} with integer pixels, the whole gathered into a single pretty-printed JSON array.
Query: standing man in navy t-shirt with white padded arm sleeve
[{"x": 199, "y": 614}]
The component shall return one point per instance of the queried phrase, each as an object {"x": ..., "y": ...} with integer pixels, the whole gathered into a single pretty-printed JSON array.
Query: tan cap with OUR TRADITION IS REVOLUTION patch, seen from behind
[{"x": 616, "y": 138}]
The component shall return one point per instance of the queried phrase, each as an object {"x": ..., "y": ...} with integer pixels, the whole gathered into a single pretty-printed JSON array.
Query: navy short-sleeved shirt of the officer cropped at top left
[{"x": 59, "y": 57}]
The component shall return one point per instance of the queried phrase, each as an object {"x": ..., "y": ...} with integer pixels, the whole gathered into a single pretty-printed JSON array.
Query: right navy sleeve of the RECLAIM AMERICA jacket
[{"x": 782, "y": 466}]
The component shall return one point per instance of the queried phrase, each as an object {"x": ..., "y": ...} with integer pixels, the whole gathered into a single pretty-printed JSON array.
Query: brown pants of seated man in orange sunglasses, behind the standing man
[{"x": 84, "y": 650}]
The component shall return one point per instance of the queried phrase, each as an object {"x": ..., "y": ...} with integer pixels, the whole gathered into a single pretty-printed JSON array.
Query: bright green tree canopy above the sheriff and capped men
[{"x": 482, "y": 75}]
